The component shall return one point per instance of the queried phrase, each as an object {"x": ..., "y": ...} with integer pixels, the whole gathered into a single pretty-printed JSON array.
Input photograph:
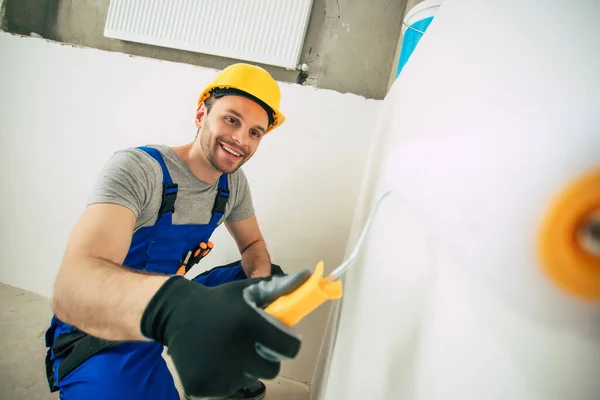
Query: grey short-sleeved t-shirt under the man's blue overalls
[{"x": 132, "y": 178}]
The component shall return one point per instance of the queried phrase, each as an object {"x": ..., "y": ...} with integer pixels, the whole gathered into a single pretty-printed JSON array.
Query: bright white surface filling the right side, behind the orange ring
[{"x": 493, "y": 116}]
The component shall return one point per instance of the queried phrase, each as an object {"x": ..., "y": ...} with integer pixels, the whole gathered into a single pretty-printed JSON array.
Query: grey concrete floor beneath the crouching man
[{"x": 24, "y": 317}]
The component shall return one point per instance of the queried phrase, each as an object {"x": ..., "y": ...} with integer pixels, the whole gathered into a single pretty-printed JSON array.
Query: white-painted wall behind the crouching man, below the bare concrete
[{"x": 65, "y": 110}]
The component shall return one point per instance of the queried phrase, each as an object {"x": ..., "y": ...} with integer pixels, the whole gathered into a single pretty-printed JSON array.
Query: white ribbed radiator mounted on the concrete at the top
[{"x": 262, "y": 31}]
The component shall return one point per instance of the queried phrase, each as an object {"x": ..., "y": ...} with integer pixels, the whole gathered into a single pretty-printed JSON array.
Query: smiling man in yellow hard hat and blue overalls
[{"x": 118, "y": 299}]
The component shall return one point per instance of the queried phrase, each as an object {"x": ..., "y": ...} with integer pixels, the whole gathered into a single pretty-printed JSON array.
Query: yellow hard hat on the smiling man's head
[{"x": 252, "y": 82}]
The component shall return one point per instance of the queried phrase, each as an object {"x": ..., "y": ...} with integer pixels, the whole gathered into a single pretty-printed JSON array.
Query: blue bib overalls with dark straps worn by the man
[{"x": 84, "y": 367}]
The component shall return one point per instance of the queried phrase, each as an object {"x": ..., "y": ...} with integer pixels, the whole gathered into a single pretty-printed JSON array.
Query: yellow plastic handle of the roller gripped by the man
[{"x": 292, "y": 307}]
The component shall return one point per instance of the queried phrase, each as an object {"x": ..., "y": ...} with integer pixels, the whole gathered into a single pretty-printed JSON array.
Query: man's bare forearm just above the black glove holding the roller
[{"x": 103, "y": 299}]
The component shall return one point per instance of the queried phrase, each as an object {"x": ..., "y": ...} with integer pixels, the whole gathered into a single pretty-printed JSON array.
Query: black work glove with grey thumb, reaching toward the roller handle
[{"x": 219, "y": 338}]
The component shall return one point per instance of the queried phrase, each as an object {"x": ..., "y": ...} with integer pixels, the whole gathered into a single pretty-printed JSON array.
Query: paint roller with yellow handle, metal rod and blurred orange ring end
[{"x": 573, "y": 264}]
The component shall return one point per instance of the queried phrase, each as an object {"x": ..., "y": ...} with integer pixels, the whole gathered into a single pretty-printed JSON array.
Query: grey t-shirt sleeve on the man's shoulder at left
[{"x": 127, "y": 179}]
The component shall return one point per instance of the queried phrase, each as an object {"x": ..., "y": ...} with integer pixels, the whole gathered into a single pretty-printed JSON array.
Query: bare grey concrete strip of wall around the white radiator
[{"x": 350, "y": 45}]
